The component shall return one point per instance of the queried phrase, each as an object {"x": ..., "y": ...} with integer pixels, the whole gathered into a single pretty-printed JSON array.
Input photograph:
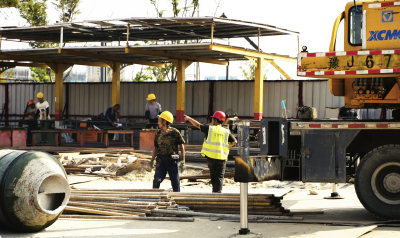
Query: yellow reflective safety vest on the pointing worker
[{"x": 216, "y": 145}]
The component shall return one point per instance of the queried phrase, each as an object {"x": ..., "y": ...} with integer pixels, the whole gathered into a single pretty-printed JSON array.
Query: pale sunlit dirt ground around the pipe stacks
[{"x": 338, "y": 217}]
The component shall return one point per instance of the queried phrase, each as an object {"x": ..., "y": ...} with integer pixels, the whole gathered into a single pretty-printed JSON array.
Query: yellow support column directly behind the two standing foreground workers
[{"x": 180, "y": 65}]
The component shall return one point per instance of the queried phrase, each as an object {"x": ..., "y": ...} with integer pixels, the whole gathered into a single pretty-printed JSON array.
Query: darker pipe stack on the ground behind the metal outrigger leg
[{"x": 229, "y": 203}]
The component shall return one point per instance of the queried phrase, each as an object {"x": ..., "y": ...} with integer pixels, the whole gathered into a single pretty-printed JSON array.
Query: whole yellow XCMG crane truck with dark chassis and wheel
[{"x": 367, "y": 74}]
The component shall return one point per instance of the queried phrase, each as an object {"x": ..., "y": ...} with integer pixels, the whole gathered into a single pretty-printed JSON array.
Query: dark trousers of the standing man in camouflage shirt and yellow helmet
[{"x": 167, "y": 164}]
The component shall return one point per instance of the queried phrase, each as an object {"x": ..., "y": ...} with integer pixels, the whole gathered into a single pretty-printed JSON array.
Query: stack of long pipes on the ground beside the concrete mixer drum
[{"x": 134, "y": 204}]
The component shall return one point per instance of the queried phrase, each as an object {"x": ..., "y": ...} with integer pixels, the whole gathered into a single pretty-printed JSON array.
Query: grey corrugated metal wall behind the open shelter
[{"x": 86, "y": 99}]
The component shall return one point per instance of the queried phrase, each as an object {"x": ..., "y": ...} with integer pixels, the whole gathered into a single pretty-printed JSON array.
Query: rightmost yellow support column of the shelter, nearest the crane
[{"x": 258, "y": 90}]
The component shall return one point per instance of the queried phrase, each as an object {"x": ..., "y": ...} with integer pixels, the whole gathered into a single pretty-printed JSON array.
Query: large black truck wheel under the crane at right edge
[{"x": 377, "y": 181}]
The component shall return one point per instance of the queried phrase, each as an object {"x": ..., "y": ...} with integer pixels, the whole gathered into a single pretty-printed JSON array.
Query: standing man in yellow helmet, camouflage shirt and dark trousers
[{"x": 167, "y": 142}]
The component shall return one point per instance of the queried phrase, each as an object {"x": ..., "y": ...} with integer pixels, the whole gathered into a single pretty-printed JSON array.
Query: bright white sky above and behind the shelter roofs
[{"x": 313, "y": 19}]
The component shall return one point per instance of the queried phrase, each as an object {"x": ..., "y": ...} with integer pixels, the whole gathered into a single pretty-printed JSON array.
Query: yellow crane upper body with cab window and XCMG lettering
[{"x": 367, "y": 72}]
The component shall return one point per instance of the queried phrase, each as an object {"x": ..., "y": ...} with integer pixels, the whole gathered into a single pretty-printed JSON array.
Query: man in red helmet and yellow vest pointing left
[{"x": 215, "y": 147}]
